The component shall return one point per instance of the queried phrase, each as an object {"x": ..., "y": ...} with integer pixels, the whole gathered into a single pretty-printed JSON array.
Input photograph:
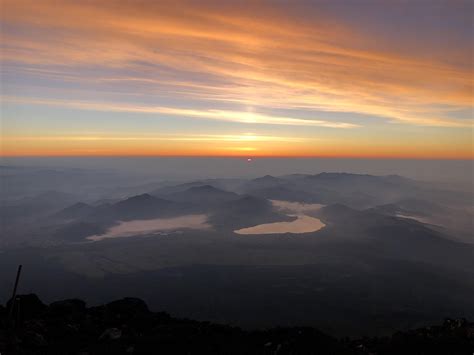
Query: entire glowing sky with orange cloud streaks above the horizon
[{"x": 352, "y": 78}]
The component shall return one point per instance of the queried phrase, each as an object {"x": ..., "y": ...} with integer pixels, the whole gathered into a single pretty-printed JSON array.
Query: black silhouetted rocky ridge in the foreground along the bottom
[{"x": 127, "y": 326}]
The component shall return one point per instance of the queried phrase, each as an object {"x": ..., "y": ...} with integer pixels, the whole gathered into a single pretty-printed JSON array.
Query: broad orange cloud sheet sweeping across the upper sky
[{"x": 260, "y": 56}]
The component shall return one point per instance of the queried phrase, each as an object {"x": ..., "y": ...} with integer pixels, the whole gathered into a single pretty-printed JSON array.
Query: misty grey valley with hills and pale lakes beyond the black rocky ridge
[{"x": 252, "y": 251}]
